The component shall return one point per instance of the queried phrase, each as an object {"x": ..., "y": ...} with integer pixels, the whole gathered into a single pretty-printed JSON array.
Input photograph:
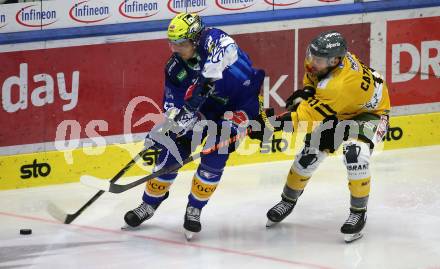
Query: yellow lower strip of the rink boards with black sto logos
[{"x": 57, "y": 167}]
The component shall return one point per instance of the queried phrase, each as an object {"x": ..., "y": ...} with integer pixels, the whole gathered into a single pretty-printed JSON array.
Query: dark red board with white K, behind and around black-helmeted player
[{"x": 275, "y": 52}]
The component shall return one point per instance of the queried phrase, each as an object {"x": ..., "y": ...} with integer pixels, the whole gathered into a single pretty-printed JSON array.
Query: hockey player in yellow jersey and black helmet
[{"x": 351, "y": 102}]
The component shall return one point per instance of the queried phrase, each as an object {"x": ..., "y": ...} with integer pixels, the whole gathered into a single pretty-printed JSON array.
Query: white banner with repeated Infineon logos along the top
[{"x": 59, "y": 14}]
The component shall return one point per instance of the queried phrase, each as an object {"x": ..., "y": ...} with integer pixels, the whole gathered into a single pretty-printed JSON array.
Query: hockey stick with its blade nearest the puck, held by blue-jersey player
[{"x": 65, "y": 218}]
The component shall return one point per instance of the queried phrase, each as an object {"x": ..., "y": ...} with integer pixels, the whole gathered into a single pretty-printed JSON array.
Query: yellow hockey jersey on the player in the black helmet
[{"x": 348, "y": 90}]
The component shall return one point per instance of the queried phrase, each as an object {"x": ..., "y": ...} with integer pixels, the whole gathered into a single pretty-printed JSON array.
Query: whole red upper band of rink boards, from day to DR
[{"x": 90, "y": 95}]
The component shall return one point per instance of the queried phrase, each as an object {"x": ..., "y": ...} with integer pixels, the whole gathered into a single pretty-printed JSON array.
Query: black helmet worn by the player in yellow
[{"x": 328, "y": 45}]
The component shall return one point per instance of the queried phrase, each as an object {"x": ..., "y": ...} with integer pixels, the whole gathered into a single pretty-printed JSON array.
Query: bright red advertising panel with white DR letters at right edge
[{"x": 413, "y": 60}]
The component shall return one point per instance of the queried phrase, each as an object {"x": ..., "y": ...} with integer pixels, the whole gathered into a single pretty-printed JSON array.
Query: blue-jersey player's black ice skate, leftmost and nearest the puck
[{"x": 143, "y": 212}]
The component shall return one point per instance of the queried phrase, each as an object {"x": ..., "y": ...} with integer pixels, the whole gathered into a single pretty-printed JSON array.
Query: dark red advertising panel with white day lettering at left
[{"x": 89, "y": 85}]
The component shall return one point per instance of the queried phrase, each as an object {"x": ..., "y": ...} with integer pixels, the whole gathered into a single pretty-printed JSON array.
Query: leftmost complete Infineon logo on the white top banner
[{"x": 33, "y": 16}]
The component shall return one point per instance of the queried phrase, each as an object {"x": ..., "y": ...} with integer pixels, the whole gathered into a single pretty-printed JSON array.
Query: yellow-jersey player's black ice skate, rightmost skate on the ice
[{"x": 354, "y": 224}]
